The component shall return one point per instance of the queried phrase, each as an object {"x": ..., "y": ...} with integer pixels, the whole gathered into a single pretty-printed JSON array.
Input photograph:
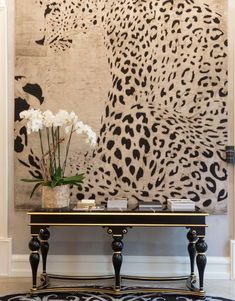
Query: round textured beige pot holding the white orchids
[{"x": 57, "y": 197}]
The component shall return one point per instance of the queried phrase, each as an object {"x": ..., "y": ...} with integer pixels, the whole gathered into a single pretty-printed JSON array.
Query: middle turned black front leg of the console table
[{"x": 117, "y": 246}]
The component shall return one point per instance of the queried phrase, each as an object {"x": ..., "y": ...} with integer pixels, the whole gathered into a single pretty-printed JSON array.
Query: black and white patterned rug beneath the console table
[{"x": 104, "y": 297}]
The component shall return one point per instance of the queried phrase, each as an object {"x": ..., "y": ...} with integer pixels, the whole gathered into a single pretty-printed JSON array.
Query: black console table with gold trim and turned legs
[{"x": 117, "y": 224}]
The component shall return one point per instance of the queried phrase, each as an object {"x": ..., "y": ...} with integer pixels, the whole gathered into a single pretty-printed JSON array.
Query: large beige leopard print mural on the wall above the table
[{"x": 149, "y": 75}]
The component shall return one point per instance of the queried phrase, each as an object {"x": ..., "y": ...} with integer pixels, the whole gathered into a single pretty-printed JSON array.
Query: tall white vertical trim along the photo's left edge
[{"x": 5, "y": 241}]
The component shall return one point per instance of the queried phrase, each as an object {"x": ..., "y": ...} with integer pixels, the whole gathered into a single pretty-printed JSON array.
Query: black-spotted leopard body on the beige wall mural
[{"x": 164, "y": 129}]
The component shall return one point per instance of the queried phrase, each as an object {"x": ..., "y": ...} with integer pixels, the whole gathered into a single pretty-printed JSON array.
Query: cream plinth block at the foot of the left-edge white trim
[{"x": 5, "y": 256}]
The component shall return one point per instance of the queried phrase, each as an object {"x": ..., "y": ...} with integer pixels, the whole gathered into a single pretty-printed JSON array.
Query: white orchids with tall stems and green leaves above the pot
[{"x": 49, "y": 127}]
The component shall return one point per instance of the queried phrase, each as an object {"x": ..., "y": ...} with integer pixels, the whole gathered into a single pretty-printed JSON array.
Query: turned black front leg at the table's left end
[{"x": 34, "y": 246}]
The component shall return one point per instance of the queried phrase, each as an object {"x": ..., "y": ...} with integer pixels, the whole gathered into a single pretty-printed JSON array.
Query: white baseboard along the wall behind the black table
[{"x": 217, "y": 267}]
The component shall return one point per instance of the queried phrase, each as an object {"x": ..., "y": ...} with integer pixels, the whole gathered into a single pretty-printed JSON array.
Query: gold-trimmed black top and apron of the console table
[{"x": 106, "y": 218}]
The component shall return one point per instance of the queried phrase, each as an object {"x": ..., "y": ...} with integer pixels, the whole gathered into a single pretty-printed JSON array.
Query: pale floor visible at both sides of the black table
[{"x": 220, "y": 288}]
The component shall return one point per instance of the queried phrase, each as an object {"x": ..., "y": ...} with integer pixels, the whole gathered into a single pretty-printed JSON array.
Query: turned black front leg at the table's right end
[{"x": 201, "y": 248}]
